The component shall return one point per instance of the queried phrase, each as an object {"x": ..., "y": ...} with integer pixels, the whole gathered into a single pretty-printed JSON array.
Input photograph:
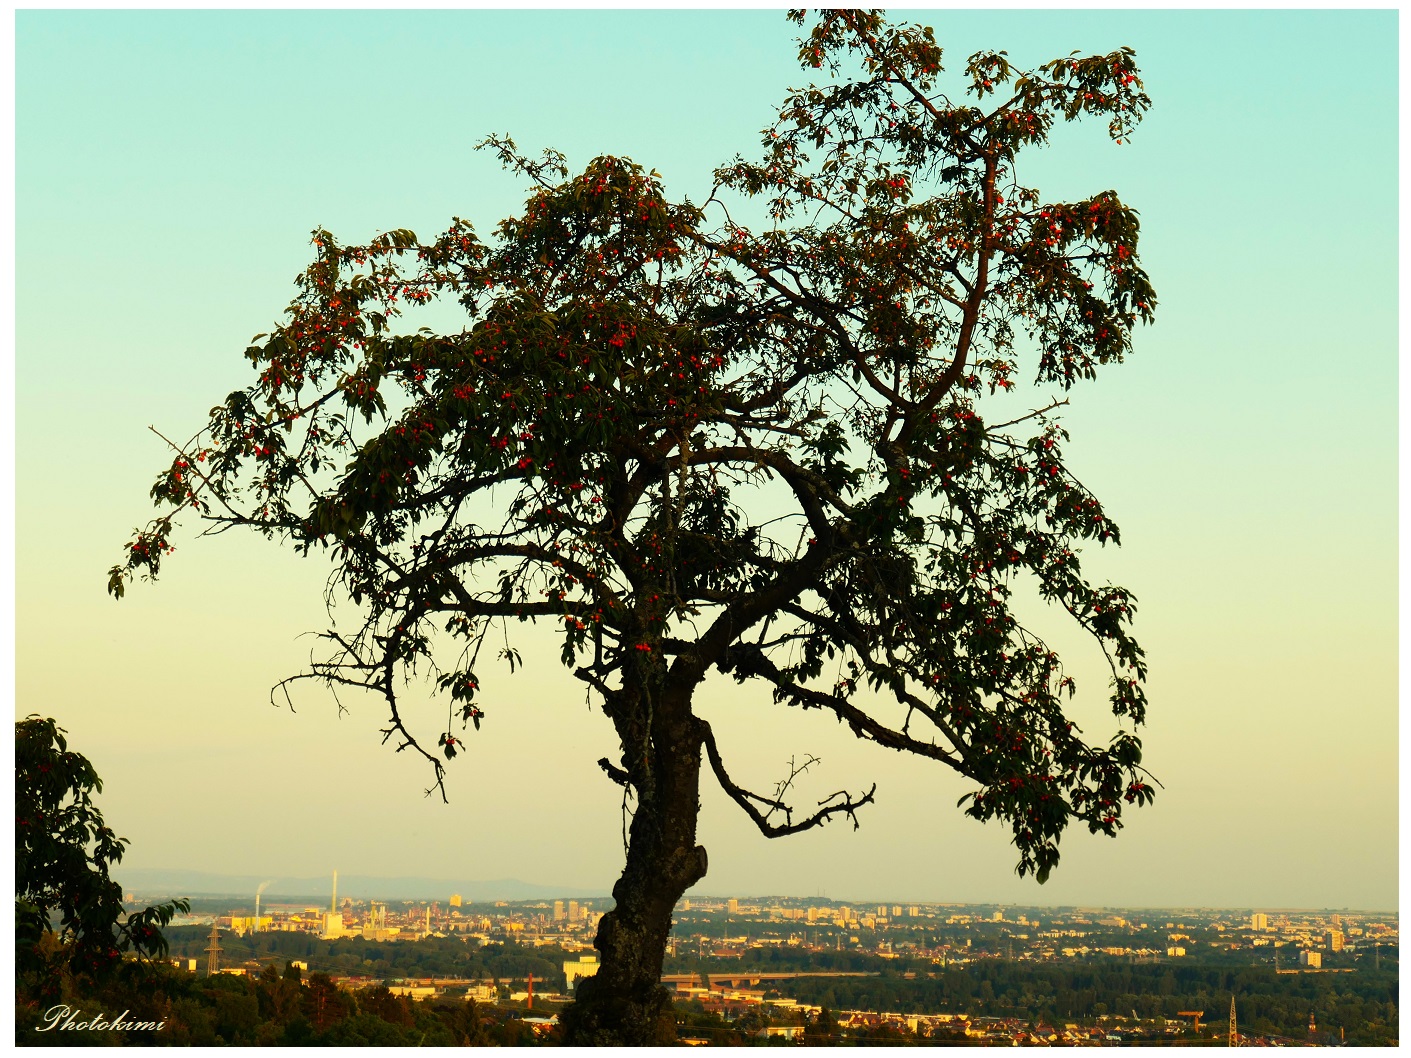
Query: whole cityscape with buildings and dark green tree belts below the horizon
[{"x": 1004, "y": 975}]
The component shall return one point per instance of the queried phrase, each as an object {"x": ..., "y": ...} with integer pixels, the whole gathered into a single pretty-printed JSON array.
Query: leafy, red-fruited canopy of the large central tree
[{"x": 782, "y": 452}]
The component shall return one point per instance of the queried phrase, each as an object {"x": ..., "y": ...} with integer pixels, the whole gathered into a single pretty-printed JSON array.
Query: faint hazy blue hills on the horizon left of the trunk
[{"x": 171, "y": 884}]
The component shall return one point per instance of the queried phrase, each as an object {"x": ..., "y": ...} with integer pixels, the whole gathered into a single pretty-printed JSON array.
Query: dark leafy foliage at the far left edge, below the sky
[{"x": 68, "y": 913}]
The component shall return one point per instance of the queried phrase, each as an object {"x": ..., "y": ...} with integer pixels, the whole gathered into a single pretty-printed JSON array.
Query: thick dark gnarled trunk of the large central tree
[{"x": 624, "y": 1004}]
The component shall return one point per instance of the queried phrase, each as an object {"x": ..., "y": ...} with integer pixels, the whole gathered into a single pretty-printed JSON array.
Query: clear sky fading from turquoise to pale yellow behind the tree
[{"x": 170, "y": 167}]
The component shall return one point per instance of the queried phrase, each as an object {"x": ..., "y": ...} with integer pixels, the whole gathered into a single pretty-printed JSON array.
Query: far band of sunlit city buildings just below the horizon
[{"x": 949, "y": 935}]
